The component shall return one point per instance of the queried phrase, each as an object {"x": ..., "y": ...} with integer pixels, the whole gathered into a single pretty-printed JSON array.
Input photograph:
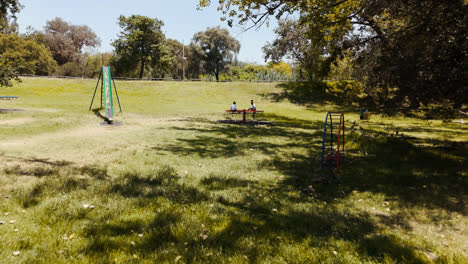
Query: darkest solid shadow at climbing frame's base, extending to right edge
[{"x": 416, "y": 171}]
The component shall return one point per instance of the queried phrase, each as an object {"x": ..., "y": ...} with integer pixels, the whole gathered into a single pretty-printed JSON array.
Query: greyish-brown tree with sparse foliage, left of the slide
[{"x": 66, "y": 41}]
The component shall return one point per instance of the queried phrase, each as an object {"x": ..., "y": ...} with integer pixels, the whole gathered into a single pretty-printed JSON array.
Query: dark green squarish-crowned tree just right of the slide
[{"x": 141, "y": 43}]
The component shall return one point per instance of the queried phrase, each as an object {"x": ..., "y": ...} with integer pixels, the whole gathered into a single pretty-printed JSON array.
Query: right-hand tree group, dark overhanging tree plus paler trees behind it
[{"x": 408, "y": 54}]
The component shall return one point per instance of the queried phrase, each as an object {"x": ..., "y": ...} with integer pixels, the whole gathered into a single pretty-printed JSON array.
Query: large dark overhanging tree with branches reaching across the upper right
[{"x": 418, "y": 47}]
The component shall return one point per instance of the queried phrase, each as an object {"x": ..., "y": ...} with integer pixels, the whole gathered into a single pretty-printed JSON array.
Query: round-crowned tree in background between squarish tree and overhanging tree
[{"x": 216, "y": 48}]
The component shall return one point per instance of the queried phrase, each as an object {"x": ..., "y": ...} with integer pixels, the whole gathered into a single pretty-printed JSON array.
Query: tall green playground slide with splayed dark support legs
[{"x": 107, "y": 81}]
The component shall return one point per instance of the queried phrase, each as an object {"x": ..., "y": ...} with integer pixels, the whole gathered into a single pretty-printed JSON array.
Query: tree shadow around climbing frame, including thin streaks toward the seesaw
[{"x": 418, "y": 172}]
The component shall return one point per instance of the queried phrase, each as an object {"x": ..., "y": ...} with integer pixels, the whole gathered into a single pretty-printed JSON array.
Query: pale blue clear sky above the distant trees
[{"x": 181, "y": 20}]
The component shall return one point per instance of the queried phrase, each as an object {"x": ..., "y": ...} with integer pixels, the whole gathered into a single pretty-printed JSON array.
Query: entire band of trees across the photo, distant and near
[{"x": 406, "y": 54}]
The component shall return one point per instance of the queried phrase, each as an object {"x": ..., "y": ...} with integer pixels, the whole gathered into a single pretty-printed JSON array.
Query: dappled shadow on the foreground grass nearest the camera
[{"x": 249, "y": 219}]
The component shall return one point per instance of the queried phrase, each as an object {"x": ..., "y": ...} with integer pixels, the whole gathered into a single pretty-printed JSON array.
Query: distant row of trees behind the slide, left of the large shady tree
[{"x": 141, "y": 51}]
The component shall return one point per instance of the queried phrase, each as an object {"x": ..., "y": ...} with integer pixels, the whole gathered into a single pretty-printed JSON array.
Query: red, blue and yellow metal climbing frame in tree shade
[{"x": 333, "y": 140}]
